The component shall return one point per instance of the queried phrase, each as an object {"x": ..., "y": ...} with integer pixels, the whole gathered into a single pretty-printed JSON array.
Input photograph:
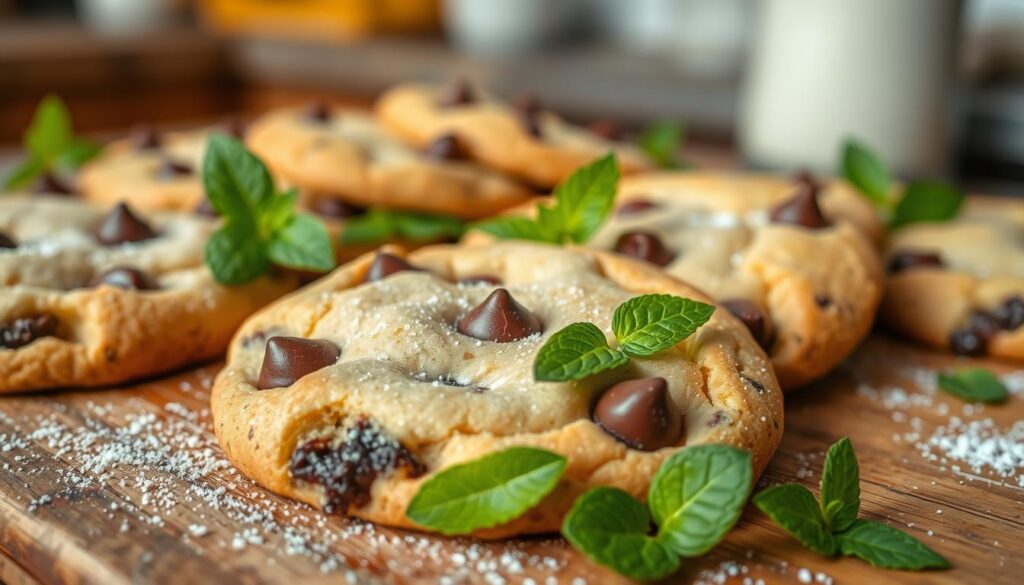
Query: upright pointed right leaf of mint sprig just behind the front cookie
[{"x": 584, "y": 201}]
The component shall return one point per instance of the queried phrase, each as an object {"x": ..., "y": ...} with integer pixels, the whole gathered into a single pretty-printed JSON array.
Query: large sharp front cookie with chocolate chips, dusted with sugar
[{"x": 414, "y": 365}]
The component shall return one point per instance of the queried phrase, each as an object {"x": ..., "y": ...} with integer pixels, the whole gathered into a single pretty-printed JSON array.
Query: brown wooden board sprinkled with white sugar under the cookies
[{"x": 129, "y": 486}]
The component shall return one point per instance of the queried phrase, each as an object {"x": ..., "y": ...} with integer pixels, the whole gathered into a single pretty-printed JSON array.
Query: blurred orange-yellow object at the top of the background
[{"x": 328, "y": 20}]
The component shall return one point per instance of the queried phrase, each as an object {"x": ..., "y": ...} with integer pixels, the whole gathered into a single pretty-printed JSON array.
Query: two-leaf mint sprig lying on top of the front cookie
[{"x": 644, "y": 326}]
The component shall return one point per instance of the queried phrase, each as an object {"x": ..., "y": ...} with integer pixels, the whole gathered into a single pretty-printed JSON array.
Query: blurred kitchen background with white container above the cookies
[{"x": 936, "y": 87}]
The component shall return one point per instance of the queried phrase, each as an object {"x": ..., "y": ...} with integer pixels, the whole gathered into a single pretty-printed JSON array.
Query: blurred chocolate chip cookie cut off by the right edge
[{"x": 960, "y": 285}]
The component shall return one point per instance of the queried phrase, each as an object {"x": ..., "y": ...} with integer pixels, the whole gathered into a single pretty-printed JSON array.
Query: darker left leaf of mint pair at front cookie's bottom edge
[{"x": 611, "y": 528}]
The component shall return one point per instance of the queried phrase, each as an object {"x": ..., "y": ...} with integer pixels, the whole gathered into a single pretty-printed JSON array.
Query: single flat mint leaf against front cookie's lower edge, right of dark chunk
[{"x": 487, "y": 492}]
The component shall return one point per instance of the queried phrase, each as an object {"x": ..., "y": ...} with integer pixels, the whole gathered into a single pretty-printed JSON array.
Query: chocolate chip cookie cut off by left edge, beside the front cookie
[{"x": 94, "y": 297}]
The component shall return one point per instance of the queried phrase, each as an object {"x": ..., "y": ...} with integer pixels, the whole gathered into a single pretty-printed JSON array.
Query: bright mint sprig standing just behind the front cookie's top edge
[{"x": 582, "y": 204}]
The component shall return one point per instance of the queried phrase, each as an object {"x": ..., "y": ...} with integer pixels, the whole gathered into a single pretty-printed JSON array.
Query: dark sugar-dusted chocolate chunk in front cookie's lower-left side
[{"x": 348, "y": 471}]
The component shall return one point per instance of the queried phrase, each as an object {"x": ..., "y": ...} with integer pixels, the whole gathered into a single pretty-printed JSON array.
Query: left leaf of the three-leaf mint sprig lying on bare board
[{"x": 793, "y": 508}]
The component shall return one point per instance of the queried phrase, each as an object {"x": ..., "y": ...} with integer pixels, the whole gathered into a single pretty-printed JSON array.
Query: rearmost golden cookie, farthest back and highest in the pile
[{"x": 527, "y": 141}]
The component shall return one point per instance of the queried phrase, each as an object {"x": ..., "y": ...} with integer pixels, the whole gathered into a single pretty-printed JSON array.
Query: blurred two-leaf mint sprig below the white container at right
[{"x": 921, "y": 201}]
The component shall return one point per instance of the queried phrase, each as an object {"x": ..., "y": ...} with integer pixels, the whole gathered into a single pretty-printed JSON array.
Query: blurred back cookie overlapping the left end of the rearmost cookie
[{"x": 348, "y": 155}]
